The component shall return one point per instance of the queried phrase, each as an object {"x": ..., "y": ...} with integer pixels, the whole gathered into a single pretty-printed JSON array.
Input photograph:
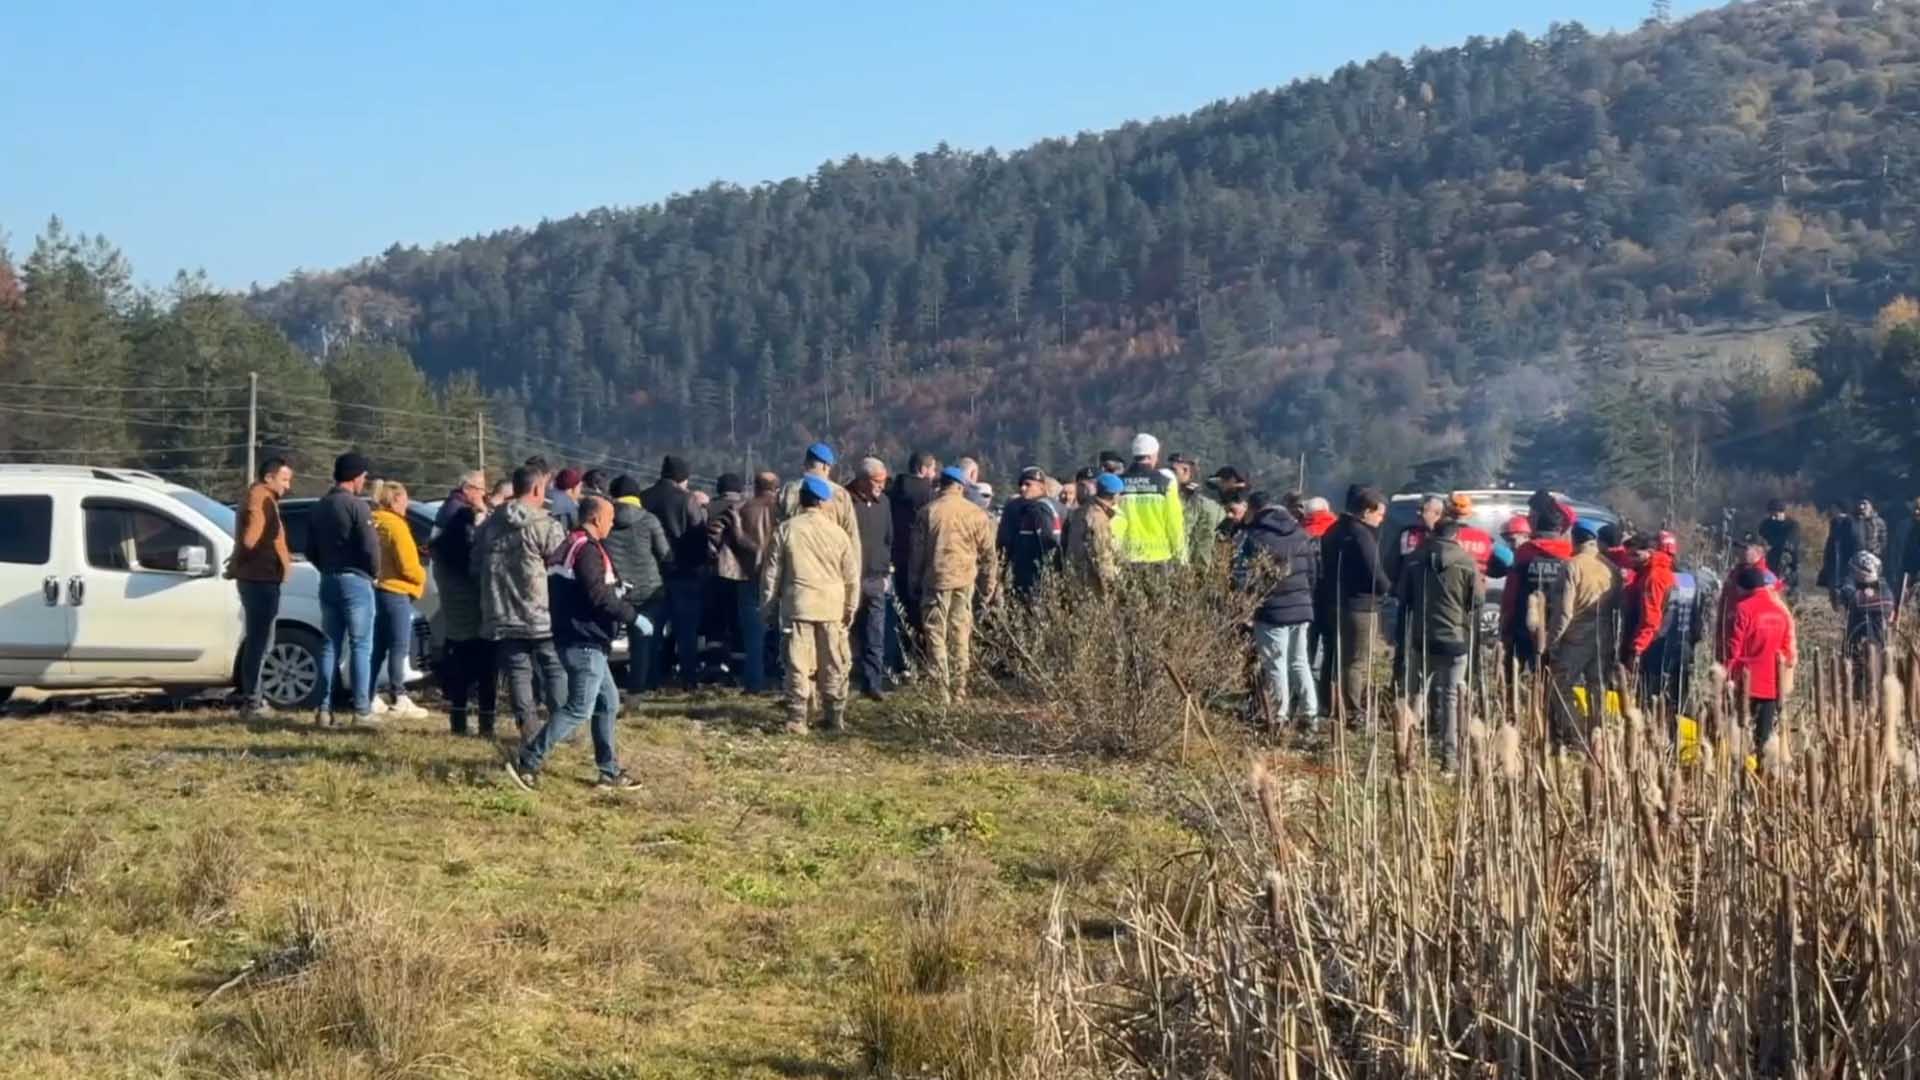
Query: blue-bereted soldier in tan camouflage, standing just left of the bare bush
[{"x": 953, "y": 552}]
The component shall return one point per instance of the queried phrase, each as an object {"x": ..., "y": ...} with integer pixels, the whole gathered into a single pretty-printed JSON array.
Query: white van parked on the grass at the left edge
[{"x": 112, "y": 579}]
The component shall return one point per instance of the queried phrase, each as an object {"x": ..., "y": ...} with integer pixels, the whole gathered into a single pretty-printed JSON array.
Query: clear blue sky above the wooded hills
[{"x": 254, "y": 139}]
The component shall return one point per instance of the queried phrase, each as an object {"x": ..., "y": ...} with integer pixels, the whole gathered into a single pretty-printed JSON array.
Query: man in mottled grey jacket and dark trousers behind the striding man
[{"x": 512, "y": 554}]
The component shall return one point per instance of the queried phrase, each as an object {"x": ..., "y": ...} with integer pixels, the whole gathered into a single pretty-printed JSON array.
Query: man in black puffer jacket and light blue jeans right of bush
[{"x": 1285, "y": 616}]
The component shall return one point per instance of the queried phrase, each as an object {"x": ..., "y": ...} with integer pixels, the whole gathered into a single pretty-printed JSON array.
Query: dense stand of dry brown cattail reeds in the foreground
[{"x": 1650, "y": 920}]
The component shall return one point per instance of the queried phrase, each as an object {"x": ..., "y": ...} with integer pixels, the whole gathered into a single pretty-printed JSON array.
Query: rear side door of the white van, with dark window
[{"x": 36, "y": 620}]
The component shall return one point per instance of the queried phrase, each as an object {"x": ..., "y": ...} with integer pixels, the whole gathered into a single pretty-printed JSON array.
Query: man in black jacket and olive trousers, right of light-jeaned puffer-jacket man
[{"x": 1353, "y": 587}]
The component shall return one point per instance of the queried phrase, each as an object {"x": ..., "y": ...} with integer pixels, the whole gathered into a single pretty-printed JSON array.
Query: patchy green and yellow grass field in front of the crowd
[{"x": 189, "y": 896}]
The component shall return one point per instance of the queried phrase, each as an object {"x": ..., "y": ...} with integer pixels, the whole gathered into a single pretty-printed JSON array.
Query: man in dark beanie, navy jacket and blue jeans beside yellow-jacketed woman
[{"x": 345, "y": 549}]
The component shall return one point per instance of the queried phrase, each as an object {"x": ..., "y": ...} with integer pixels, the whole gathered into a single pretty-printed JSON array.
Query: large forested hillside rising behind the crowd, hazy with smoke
[{"x": 1483, "y": 262}]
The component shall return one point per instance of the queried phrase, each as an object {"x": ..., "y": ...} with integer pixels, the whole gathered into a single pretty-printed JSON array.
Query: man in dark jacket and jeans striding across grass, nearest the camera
[{"x": 588, "y": 614}]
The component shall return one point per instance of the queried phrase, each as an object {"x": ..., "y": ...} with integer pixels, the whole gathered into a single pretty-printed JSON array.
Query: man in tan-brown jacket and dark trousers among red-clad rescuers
[{"x": 1581, "y": 637}]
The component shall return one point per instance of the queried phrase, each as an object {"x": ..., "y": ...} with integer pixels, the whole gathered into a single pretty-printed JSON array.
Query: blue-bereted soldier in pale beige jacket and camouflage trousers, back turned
[{"x": 813, "y": 589}]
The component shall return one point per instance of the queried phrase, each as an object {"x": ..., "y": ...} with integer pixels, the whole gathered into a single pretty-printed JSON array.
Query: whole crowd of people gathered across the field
[{"x": 546, "y": 574}]
